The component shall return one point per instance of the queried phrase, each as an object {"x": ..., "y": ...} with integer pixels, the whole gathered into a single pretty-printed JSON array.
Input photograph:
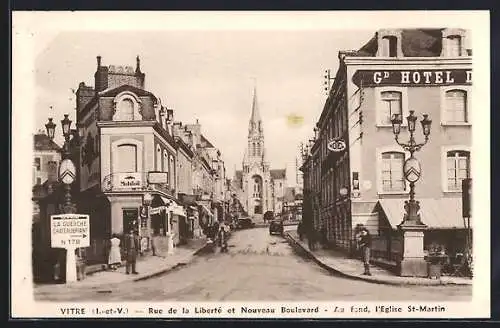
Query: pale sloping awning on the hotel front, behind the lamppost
[{"x": 443, "y": 213}]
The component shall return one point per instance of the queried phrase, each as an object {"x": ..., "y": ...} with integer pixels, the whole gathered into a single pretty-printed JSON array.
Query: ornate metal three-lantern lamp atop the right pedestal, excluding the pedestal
[{"x": 411, "y": 168}]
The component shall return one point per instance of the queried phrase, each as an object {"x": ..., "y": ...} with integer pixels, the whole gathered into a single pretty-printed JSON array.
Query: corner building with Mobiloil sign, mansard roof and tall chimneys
[{"x": 126, "y": 136}]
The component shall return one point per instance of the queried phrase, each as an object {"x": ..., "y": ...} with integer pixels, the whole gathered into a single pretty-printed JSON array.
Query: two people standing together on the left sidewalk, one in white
[{"x": 131, "y": 249}]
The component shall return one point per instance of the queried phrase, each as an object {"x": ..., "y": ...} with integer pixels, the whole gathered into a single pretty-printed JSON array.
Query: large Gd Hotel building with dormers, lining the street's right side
[{"x": 353, "y": 168}]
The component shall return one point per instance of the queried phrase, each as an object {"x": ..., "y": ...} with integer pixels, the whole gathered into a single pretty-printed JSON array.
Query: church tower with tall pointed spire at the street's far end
[{"x": 257, "y": 187}]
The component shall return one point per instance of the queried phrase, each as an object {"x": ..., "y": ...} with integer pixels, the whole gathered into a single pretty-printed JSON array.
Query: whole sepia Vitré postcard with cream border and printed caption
[{"x": 250, "y": 165}]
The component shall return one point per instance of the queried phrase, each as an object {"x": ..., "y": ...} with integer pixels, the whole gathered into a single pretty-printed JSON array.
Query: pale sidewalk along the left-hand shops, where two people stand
[{"x": 148, "y": 266}]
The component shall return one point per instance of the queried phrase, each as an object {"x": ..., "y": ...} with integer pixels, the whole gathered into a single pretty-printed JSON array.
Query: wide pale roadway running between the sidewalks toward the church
[{"x": 260, "y": 267}]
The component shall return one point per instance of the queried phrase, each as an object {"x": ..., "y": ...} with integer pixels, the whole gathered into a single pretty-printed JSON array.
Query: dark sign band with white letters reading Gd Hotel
[{"x": 375, "y": 78}]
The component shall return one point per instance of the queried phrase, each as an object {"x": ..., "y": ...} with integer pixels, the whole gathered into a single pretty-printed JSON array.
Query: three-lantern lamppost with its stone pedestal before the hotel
[{"x": 412, "y": 263}]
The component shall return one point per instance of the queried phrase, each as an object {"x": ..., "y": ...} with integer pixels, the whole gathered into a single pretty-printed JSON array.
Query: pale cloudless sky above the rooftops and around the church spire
[{"x": 209, "y": 76}]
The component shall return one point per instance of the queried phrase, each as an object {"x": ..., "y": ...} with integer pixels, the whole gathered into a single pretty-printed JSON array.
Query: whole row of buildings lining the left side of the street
[{"x": 125, "y": 134}]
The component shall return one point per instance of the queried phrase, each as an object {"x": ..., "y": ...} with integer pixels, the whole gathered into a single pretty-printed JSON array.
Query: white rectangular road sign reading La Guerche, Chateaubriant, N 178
[{"x": 69, "y": 230}]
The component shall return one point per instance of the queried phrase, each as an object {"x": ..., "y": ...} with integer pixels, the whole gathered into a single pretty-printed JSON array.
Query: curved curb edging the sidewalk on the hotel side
[{"x": 374, "y": 280}]
